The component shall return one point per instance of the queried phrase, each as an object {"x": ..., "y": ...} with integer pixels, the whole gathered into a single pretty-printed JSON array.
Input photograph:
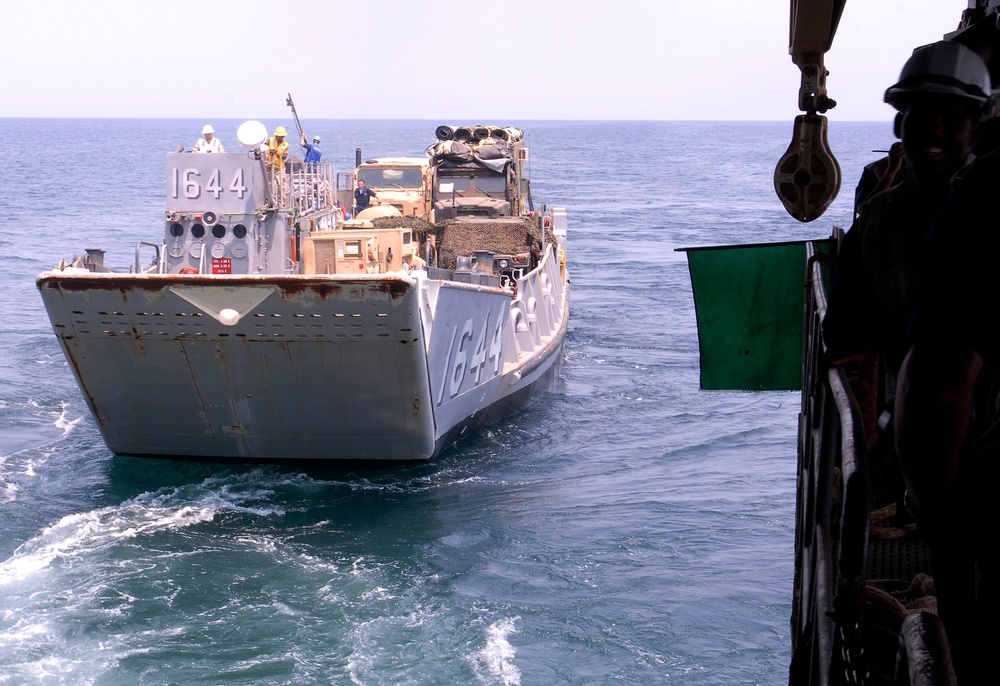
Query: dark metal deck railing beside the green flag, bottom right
[{"x": 833, "y": 513}]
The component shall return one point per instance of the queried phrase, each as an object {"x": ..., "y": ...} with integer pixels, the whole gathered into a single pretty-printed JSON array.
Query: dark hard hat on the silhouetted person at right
[{"x": 945, "y": 68}]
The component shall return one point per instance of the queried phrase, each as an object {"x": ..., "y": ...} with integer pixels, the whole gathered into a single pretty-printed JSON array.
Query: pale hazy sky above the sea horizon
[{"x": 431, "y": 59}]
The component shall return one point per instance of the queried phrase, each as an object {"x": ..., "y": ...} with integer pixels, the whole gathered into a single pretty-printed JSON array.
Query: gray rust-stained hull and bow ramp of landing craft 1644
[{"x": 303, "y": 368}]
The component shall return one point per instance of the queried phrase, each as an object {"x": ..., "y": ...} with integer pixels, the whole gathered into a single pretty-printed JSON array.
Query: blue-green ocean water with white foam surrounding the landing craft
[{"x": 627, "y": 528}]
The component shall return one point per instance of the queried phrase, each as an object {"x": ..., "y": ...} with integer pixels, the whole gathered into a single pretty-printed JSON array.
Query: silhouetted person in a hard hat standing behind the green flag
[{"x": 941, "y": 94}]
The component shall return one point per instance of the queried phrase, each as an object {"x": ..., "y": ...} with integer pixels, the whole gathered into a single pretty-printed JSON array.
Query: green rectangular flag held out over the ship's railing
[{"x": 748, "y": 304}]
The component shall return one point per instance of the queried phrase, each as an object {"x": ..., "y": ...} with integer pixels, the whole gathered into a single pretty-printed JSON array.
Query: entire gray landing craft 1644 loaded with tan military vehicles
[{"x": 265, "y": 327}]
